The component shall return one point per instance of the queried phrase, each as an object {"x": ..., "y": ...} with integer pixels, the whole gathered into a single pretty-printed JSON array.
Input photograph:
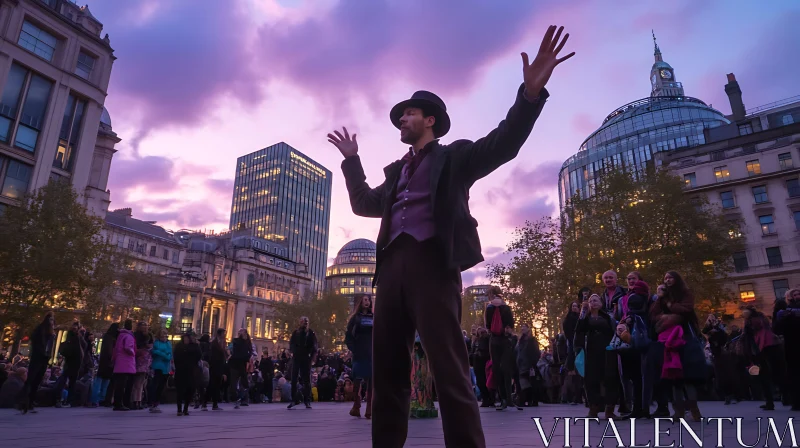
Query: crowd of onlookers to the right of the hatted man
[{"x": 623, "y": 348}]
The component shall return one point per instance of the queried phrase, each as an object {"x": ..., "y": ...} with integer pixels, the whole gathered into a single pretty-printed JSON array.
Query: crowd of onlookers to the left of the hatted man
[{"x": 136, "y": 369}]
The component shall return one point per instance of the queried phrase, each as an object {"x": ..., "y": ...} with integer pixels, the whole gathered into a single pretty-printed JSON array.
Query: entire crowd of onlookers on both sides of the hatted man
[{"x": 621, "y": 349}]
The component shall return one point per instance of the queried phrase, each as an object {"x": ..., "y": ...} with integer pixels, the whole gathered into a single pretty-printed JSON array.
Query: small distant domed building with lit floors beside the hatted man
[{"x": 352, "y": 270}]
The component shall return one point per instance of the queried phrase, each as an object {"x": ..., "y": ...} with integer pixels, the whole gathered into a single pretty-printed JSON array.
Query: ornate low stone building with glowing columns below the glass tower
[{"x": 230, "y": 280}]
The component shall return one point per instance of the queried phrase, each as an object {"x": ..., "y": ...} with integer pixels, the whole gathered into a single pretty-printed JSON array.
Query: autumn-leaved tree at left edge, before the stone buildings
[{"x": 53, "y": 257}]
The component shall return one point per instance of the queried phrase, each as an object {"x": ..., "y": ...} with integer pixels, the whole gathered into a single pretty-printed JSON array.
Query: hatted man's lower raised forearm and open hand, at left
[{"x": 364, "y": 200}]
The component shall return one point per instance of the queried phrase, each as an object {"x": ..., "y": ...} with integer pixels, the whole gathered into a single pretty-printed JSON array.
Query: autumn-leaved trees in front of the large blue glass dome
[{"x": 632, "y": 222}]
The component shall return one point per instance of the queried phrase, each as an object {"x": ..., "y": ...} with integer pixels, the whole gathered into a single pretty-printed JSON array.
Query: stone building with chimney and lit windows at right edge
[{"x": 750, "y": 169}]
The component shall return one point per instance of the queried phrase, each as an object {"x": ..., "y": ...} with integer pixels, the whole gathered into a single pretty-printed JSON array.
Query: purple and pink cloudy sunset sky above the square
[{"x": 195, "y": 86}]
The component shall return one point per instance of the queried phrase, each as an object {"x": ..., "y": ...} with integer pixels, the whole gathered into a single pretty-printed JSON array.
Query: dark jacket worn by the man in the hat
[{"x": 454, "y": 168}]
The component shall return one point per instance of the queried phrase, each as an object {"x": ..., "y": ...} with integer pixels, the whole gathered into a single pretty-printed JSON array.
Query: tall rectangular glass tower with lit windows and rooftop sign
[{"x": 282, "y": 195}]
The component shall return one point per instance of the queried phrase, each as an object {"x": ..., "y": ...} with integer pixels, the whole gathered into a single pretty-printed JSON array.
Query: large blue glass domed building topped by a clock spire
[{"x": 630, "y": 135}]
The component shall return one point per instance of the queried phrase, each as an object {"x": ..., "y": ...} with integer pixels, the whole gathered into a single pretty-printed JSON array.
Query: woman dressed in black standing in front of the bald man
[{"x": 593, "y": 333}]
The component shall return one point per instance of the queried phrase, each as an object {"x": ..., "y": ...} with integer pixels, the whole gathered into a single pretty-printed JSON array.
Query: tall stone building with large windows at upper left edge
[{"x": 54, "y": 72}]
